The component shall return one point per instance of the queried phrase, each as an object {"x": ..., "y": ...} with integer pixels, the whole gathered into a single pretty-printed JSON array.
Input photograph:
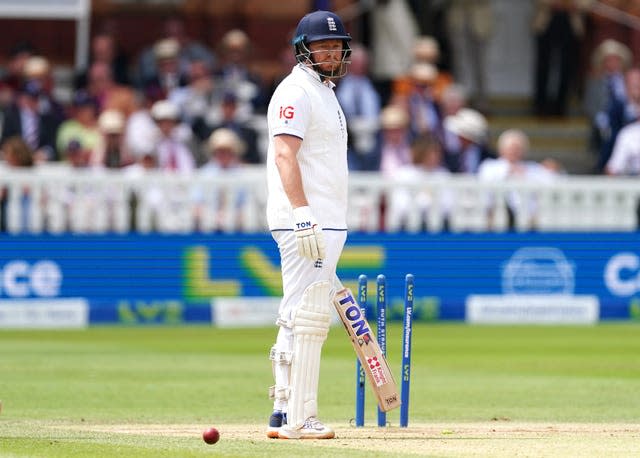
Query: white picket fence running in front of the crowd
[{"x": 60, "y": 200}]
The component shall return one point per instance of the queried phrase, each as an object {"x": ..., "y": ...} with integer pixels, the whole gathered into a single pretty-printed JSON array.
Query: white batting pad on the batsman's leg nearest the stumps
[{"x": 310, "y": 328}]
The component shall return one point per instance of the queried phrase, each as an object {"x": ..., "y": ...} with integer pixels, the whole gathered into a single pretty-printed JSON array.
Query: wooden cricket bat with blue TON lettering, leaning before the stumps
[{"x": 368, "y": 351}]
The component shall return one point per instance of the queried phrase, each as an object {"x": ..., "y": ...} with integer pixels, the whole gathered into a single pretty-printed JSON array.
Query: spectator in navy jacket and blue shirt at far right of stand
[{"x": 605, "y": 88}]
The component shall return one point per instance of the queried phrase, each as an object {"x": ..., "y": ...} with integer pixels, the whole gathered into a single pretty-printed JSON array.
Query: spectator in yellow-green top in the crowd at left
[{"x": 82, "y": 125}]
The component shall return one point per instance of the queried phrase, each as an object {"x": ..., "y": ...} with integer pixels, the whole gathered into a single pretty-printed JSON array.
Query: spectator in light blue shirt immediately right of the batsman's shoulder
[{"x": 361, "y": 105}]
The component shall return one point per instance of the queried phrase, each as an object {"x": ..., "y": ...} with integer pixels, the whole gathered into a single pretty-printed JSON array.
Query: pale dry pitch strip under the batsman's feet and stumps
[{"x": 491, "y": 439}]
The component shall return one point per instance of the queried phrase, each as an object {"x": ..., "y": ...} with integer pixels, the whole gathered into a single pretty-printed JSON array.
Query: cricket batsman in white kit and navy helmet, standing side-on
[{"x": 306, "y": 211}]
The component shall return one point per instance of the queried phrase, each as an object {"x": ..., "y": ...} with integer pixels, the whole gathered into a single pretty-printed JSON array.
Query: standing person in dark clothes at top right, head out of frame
[{"x": 559, "y": 26}]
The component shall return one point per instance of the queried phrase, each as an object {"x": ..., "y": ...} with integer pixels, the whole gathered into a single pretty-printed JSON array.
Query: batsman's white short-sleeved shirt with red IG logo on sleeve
[{"x": 304, "y": 107}]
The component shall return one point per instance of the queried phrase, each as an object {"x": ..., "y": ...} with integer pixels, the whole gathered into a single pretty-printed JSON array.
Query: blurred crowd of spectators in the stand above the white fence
[{"x": 181, "y": 107}]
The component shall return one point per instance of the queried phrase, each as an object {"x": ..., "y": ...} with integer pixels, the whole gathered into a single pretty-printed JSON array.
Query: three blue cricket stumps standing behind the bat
[{"x": 381, "y": 309}]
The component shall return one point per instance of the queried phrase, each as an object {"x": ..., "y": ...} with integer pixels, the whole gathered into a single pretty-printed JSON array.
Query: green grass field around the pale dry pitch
[{"x": 207, "y": 376}]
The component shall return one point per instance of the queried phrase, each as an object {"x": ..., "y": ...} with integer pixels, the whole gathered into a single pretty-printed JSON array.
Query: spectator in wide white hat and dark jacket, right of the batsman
[{"x": 471, "y": 130}]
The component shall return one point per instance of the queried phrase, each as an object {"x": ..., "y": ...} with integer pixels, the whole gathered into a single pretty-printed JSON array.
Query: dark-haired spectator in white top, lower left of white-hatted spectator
[{"x": 409, "y": 206}]
